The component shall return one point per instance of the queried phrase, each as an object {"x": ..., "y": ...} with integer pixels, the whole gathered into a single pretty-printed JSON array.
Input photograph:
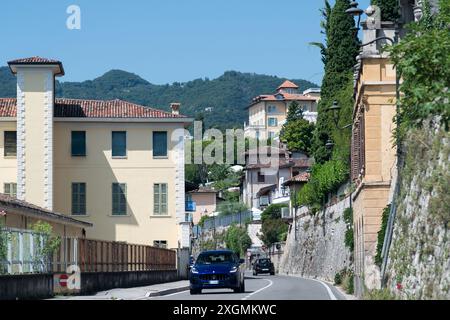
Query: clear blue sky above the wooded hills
[{"x": 168, "y": 40}]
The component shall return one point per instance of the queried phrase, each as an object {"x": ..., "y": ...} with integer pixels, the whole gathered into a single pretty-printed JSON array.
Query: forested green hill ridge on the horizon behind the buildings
[{"x": 227, "y": 95}]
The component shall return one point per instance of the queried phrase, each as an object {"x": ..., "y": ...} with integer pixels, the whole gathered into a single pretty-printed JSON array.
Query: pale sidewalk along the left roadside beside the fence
[{"x": 134, "y": 293}]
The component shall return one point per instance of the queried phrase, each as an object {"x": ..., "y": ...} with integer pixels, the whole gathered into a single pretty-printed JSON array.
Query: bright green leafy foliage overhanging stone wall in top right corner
[{"x": 423, "y": 61}]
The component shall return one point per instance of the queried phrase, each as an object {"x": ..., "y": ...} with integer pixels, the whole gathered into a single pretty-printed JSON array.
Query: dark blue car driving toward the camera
[{"x": 217, "y": 270}]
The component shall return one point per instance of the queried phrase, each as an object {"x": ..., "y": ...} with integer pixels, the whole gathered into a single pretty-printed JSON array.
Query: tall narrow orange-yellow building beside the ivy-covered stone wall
[{"x": 373, "y": 154}]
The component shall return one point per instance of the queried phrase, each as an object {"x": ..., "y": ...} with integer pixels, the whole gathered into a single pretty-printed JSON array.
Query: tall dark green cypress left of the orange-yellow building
[{"x": 339, "y": 54}]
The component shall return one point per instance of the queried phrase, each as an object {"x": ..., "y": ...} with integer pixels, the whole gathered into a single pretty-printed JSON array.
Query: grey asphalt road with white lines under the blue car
[{"x": 266, "y": 287}]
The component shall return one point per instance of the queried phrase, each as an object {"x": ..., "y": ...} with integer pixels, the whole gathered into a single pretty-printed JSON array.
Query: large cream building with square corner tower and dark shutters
[{"x": 115, "y": 164}]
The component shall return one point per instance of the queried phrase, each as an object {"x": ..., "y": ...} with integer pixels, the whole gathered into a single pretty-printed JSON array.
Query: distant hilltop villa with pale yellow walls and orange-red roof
[{"x": 268, "y": 113}]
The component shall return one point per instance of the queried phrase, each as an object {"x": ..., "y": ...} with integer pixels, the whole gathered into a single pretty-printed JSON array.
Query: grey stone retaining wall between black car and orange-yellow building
[{"x": 319, "y": 250}]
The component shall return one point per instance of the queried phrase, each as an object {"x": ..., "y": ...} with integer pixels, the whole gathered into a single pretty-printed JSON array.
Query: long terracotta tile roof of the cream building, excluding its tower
[{"x": 77, "y": 108}]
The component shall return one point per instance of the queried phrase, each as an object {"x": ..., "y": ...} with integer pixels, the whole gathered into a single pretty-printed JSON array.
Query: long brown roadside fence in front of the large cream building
[{"x": 24, "y": 252}]
